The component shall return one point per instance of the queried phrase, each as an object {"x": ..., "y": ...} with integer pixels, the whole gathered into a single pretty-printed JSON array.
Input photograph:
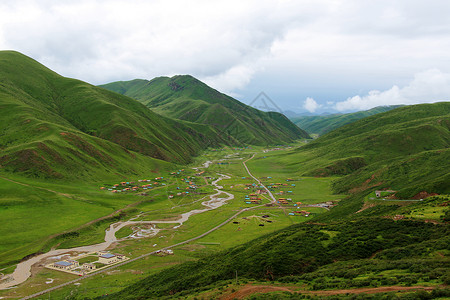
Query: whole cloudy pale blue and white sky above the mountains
[{"x": 311, "y": 56}]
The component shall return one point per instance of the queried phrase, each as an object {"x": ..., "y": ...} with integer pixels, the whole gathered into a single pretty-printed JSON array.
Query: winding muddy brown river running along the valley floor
[{"x": 23, "y": 269}]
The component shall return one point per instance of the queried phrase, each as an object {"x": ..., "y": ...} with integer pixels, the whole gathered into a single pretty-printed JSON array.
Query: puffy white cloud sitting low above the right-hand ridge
[{"x": 426, "y": 87}]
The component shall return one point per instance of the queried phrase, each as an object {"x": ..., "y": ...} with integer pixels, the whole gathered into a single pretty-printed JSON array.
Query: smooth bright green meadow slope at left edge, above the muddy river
[{"x": 32, "y": 216}]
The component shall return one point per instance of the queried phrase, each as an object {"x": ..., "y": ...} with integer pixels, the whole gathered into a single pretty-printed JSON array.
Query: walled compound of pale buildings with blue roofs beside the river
[{"x": 73, "y": 266}]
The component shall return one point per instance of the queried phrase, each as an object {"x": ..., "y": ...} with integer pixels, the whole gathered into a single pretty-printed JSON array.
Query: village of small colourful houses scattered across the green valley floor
[{"x": 267, "y": 202}]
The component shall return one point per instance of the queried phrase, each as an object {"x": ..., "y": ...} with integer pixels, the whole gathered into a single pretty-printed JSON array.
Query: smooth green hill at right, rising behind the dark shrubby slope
[{"x": 405, "y": 149}]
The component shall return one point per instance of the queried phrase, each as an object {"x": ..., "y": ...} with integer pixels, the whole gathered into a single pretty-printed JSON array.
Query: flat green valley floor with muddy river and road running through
[{"x": 181, "y": 223}]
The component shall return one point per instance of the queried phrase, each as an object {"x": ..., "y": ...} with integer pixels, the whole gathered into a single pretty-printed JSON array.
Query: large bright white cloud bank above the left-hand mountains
[{"x": 106, "y": 40}]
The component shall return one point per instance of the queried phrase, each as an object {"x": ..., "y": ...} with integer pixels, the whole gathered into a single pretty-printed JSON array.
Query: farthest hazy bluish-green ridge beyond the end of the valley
[{"x": 323, "y": 124}]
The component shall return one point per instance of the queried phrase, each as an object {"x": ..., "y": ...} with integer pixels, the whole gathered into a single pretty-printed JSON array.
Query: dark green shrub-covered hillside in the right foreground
[{"x": 316, "y": 257}]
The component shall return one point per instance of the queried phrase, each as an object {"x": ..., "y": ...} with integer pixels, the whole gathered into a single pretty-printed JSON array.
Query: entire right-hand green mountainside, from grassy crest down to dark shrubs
[{"x": 402, "y": 150}]
